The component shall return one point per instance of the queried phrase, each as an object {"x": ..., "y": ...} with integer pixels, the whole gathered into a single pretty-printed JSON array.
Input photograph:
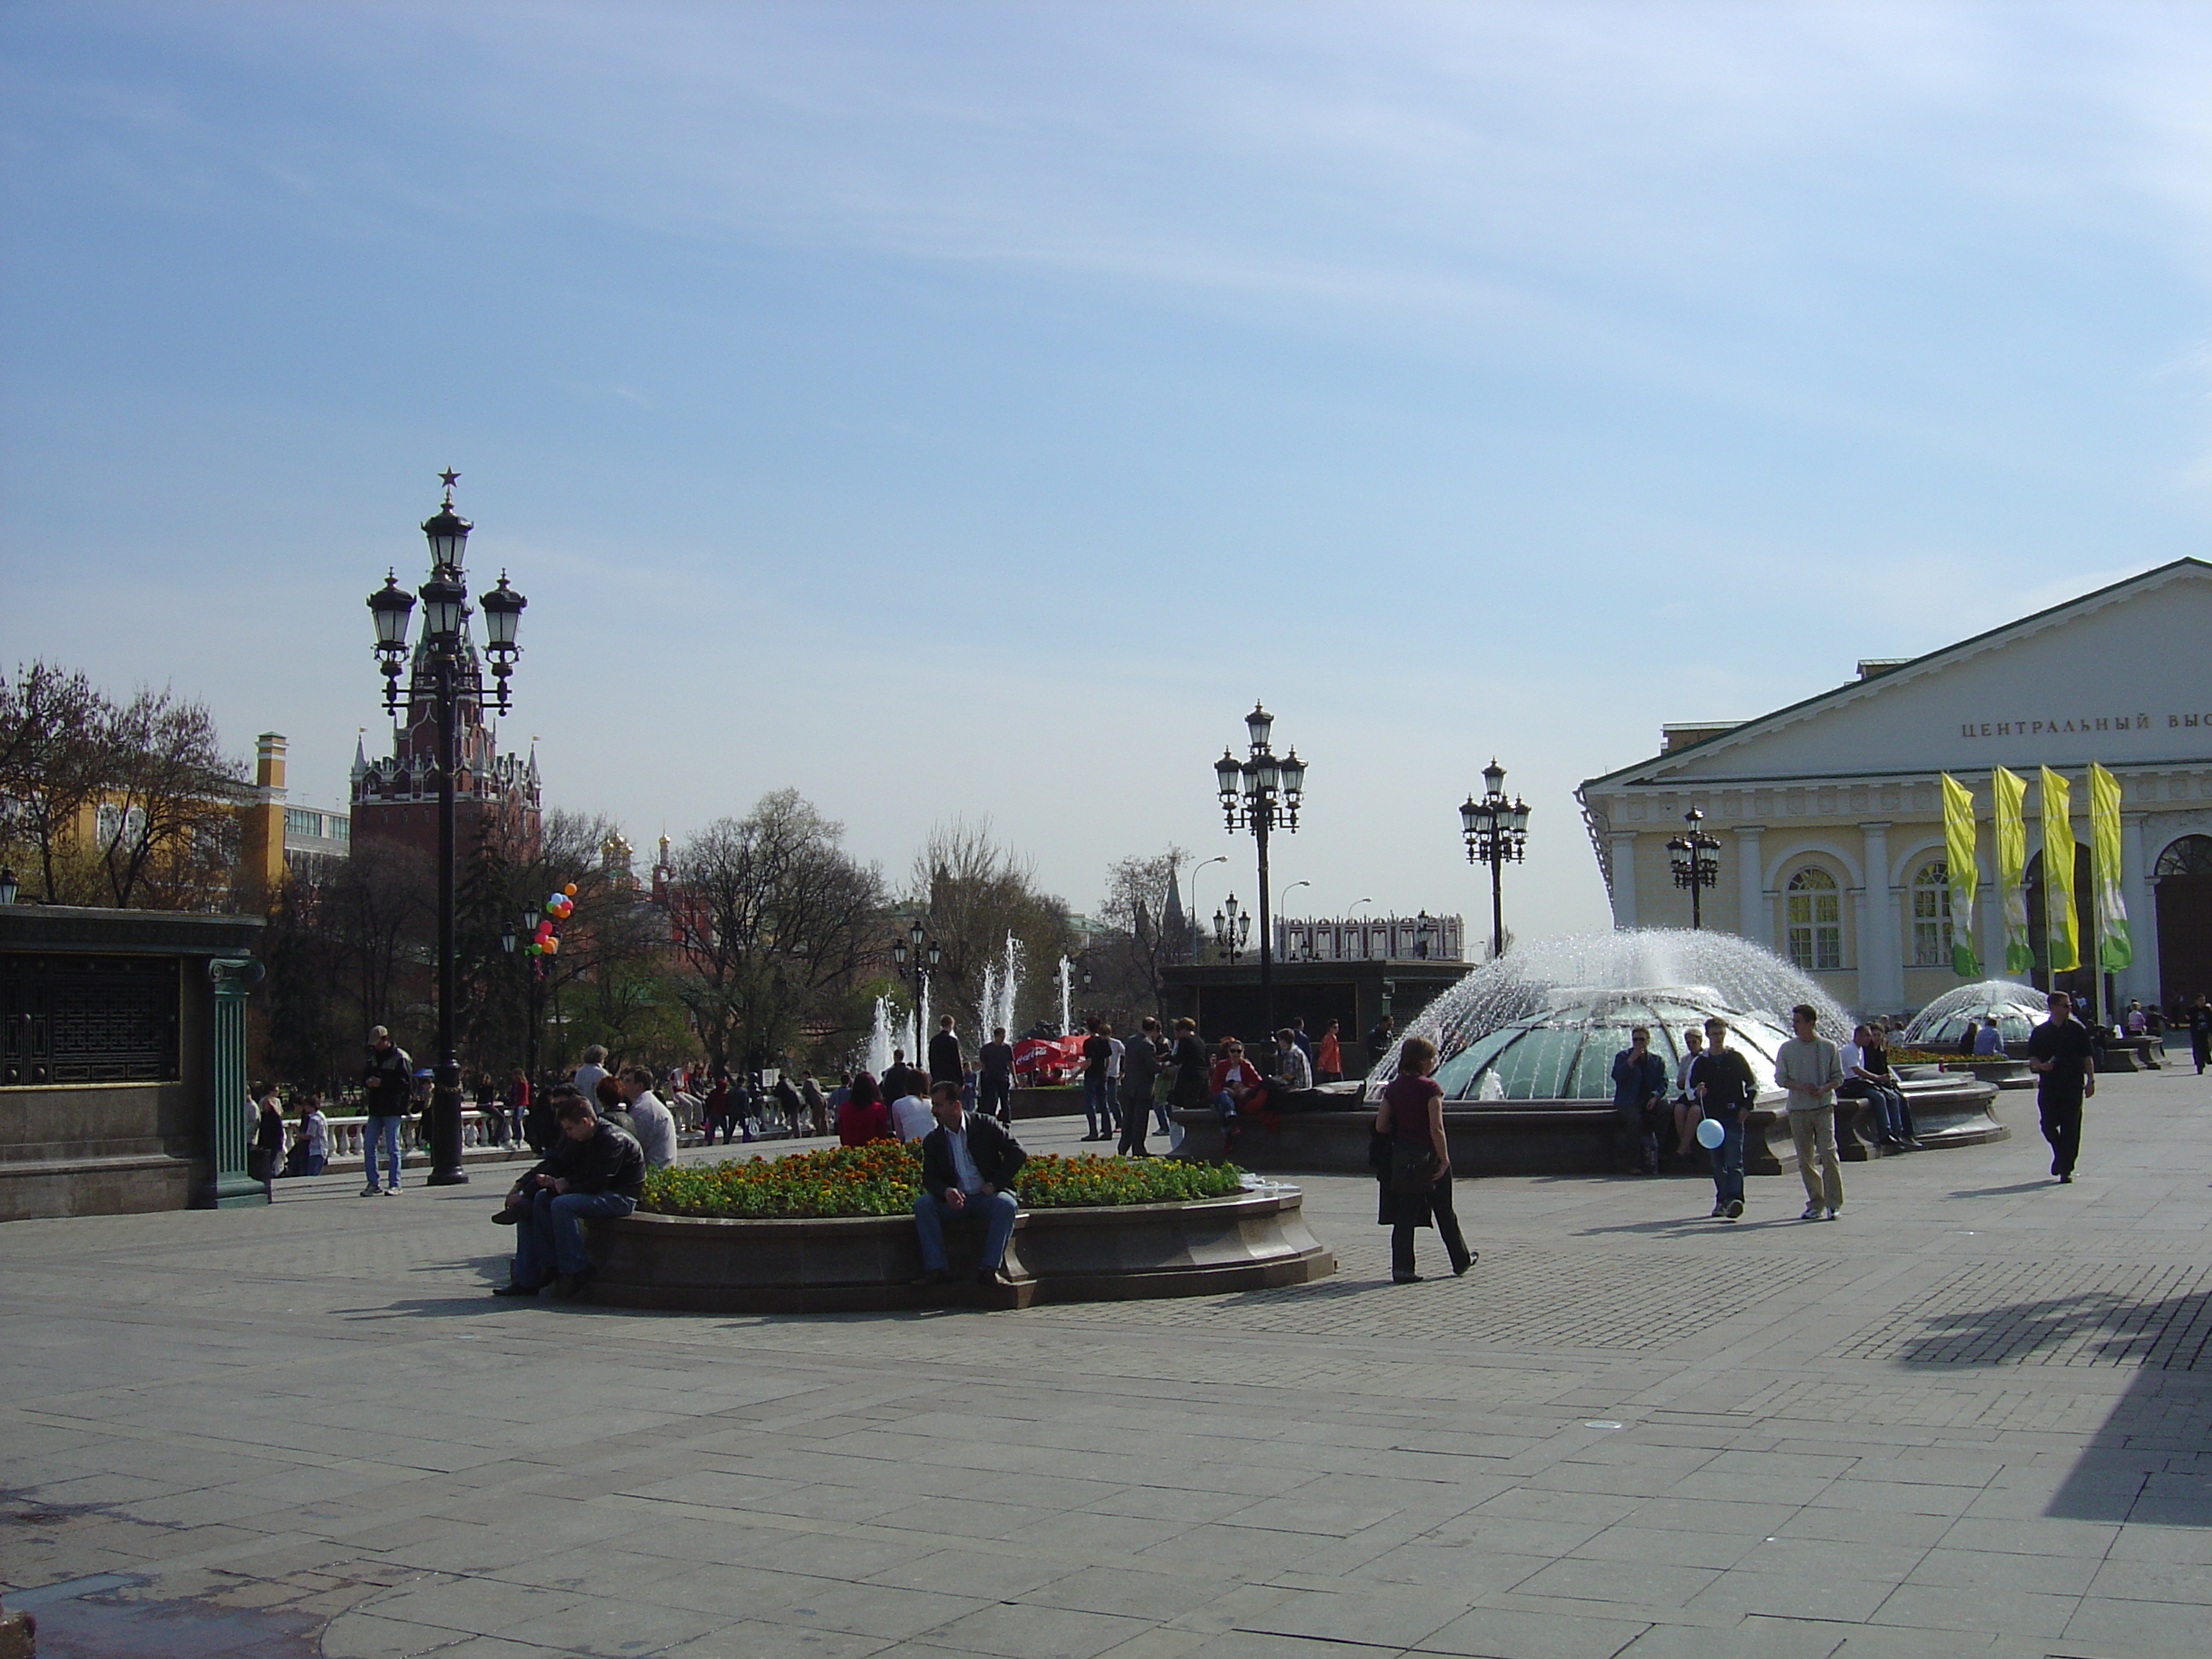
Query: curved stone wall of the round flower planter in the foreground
[{"x": 866, "y": 1264}]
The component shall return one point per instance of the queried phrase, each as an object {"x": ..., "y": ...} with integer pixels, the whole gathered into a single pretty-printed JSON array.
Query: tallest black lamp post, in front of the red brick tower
[{"x": 446, "y": 676}]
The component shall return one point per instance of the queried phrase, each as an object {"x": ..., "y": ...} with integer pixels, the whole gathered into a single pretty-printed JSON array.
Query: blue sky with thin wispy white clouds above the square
[{"x": 972, "y": 408}]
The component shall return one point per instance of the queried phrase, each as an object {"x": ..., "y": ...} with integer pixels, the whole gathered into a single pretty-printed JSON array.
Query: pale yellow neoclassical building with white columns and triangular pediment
[{"x": 1830, "y": 820}]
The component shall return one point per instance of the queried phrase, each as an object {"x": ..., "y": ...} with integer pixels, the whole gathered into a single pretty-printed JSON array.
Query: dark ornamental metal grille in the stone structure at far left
[{"x": 87, "y": 1021}]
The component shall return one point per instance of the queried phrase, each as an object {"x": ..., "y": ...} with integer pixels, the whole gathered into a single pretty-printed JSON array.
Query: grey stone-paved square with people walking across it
[{"x": 1968, "y": 1419}]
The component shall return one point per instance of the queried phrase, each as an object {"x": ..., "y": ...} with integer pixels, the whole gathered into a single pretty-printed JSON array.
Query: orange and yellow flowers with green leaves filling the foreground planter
[{"x": 886, "y": 1178}]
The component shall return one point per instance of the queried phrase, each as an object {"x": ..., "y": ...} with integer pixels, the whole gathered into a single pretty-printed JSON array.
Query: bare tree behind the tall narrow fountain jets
[{"x": 977, "y": 895}]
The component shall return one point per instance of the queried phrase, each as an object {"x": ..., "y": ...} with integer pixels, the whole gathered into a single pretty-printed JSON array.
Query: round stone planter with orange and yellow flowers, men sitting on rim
[{"x": 833, "y": 1233}]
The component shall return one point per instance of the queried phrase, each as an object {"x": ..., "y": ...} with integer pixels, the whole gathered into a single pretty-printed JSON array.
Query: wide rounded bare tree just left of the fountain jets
[{"x": 773, "y": 926}]
